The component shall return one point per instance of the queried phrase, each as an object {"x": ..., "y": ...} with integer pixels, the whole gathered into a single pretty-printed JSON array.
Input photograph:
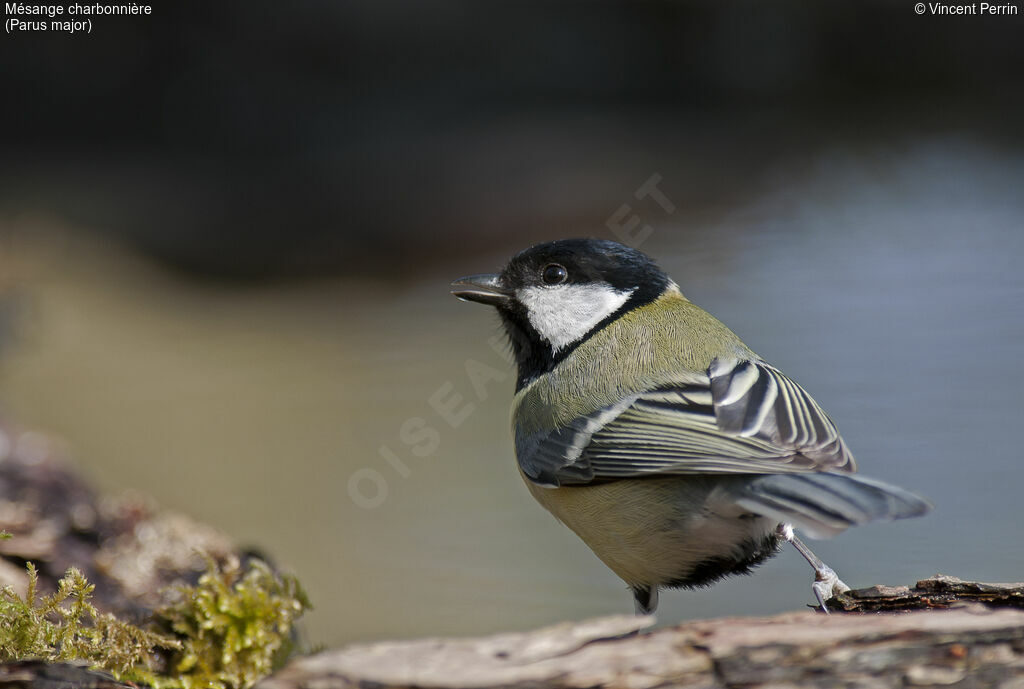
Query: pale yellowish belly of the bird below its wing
[{"x": 672, "y": 532}]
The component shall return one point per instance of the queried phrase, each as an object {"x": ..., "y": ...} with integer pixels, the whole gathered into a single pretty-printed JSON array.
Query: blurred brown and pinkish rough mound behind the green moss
[{"x": 126, "y": 546}]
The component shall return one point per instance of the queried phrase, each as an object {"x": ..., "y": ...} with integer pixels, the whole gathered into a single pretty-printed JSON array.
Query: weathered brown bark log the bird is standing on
[{"x": 967, "y": 645}]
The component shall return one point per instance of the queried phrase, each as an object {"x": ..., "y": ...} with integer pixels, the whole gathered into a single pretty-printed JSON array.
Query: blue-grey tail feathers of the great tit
[{"x": 825, "y": 504}]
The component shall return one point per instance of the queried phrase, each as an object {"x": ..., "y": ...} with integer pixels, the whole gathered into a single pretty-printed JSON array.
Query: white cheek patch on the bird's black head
[{"x": 564, "y": 314}]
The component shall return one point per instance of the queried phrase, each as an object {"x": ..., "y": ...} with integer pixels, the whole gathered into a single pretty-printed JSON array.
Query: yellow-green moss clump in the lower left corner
[{"x": 227, "y": 632}]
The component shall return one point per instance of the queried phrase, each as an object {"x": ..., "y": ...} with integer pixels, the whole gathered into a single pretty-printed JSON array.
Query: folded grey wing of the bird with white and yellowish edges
[{"x": 742, "y": 418}]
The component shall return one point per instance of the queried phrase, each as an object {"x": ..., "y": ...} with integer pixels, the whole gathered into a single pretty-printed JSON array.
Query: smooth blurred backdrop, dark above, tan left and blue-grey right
[{"x": 227, "y": 233}]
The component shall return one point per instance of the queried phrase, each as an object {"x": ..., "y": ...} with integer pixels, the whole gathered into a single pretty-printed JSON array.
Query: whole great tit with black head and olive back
[{"x": 649, "y": 428}]
